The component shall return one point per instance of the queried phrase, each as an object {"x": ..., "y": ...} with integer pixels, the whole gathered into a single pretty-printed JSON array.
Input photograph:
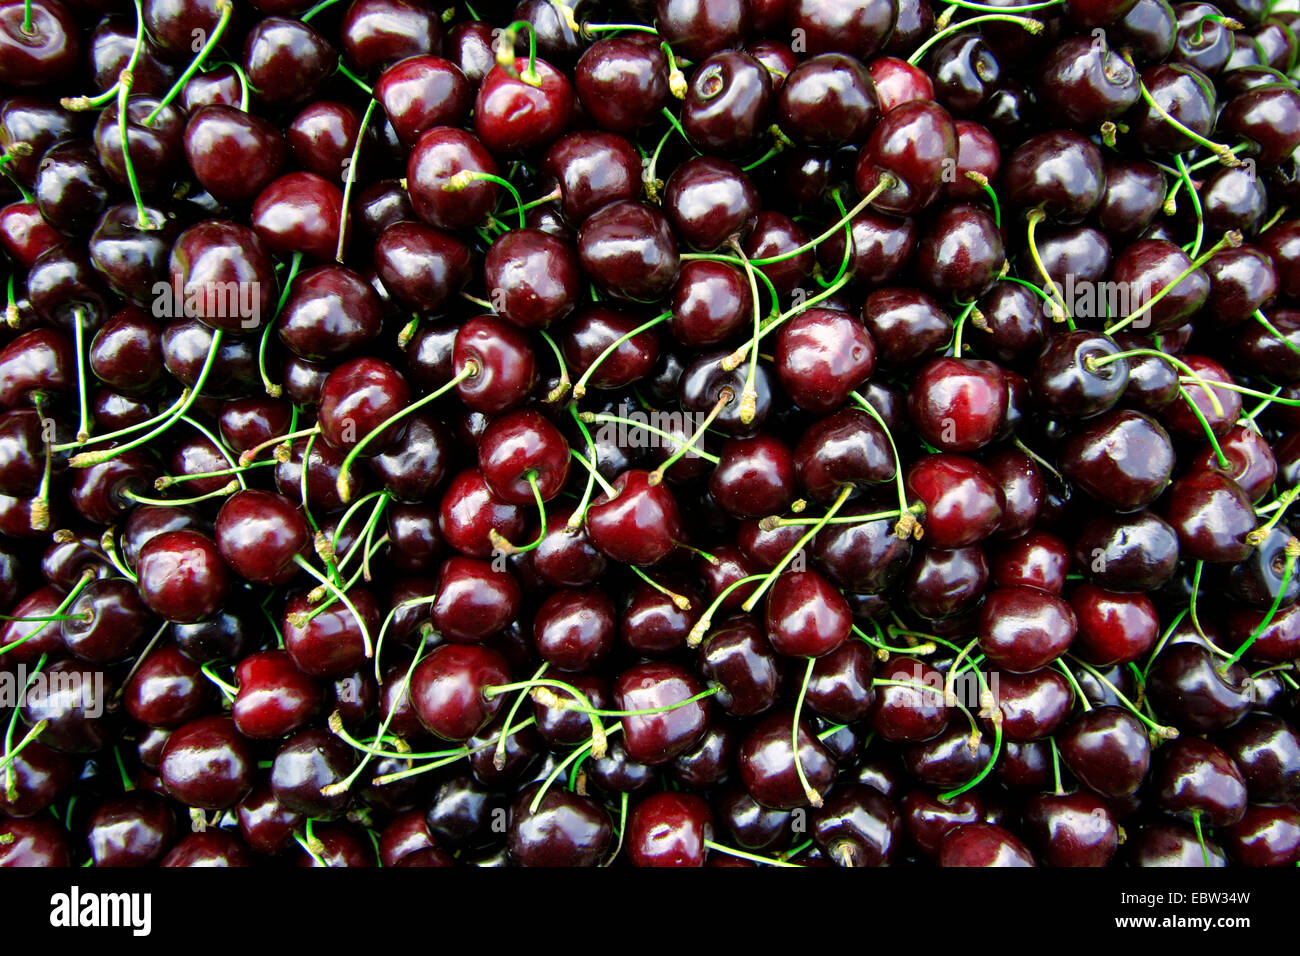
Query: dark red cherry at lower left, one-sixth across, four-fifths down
[{"x": 207, "y": 764}]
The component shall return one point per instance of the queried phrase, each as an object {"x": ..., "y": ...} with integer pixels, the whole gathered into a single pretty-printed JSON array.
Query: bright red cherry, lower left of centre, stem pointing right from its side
[{"x": 448, "y": 690}]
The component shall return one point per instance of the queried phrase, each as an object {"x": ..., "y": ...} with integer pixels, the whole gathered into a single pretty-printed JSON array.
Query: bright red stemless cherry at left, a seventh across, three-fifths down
[{"x": 183, "y": 577}]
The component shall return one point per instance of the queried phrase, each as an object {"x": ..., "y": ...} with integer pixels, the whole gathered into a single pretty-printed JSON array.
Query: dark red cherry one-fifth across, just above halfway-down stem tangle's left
[{"x": 261, "y": 535}]
